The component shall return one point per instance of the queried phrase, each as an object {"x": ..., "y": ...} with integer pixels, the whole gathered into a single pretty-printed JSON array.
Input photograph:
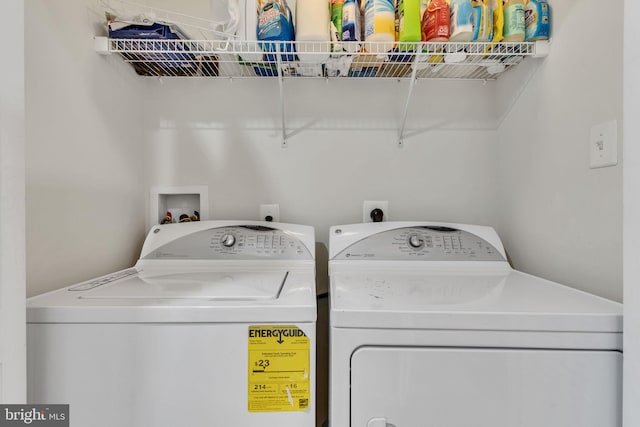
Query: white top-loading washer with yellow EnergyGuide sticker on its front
[{"x": 214, "y": 326}]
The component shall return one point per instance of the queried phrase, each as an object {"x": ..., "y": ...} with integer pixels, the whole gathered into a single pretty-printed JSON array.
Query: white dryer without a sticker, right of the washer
[{"x": 430, "y": 326}]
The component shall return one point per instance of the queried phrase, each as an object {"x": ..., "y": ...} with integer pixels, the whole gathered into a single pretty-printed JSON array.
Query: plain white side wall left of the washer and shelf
[{"x": 84, "y": 150}]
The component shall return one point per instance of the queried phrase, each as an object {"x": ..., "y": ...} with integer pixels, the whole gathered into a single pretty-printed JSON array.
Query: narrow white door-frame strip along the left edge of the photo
[{"x": 13, "y": 382}]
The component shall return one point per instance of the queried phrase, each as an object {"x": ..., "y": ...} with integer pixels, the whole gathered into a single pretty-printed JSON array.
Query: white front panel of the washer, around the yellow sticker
[{"x": 154, "y": 375}]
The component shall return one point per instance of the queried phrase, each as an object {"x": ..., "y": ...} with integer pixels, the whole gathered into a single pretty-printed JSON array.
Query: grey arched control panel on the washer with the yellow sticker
[{"x": 235, "y": 242}]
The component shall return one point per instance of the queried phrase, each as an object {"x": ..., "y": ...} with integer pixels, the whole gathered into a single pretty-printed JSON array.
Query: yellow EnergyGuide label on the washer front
[{"x": 278, "y": 369}]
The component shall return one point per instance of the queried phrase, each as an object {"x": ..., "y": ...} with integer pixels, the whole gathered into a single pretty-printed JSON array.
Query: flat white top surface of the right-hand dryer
[{"x": 450, "y": 299}]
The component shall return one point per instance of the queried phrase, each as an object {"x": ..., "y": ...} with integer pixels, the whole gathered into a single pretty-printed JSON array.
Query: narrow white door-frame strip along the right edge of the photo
[{"x": 631, "y": 216}]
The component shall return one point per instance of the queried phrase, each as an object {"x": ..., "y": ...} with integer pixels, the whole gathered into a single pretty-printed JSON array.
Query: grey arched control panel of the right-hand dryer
[{"x": 424, "y": 243}]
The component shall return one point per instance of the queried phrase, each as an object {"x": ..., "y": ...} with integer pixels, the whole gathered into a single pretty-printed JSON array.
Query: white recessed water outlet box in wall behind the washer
[{"x": 178, "y": 201}]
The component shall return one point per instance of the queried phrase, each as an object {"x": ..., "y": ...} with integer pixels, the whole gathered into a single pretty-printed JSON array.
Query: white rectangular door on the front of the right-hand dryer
[{"x": 462, "y": 387}]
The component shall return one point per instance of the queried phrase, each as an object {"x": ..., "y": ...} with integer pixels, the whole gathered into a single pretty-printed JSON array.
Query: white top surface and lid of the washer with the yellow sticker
[{"x": 237, "y": 293}]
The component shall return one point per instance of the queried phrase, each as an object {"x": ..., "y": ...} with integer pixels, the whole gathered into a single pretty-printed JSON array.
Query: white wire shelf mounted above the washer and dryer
[{"x": 237, "y": 59}]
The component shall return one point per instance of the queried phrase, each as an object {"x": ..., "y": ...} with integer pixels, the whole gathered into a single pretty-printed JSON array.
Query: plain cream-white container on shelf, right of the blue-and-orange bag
[{"x": 313, "y": 26}]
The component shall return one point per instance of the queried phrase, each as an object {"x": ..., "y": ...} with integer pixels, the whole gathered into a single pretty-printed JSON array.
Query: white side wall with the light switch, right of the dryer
[{"x": 558, "y": 218}]
